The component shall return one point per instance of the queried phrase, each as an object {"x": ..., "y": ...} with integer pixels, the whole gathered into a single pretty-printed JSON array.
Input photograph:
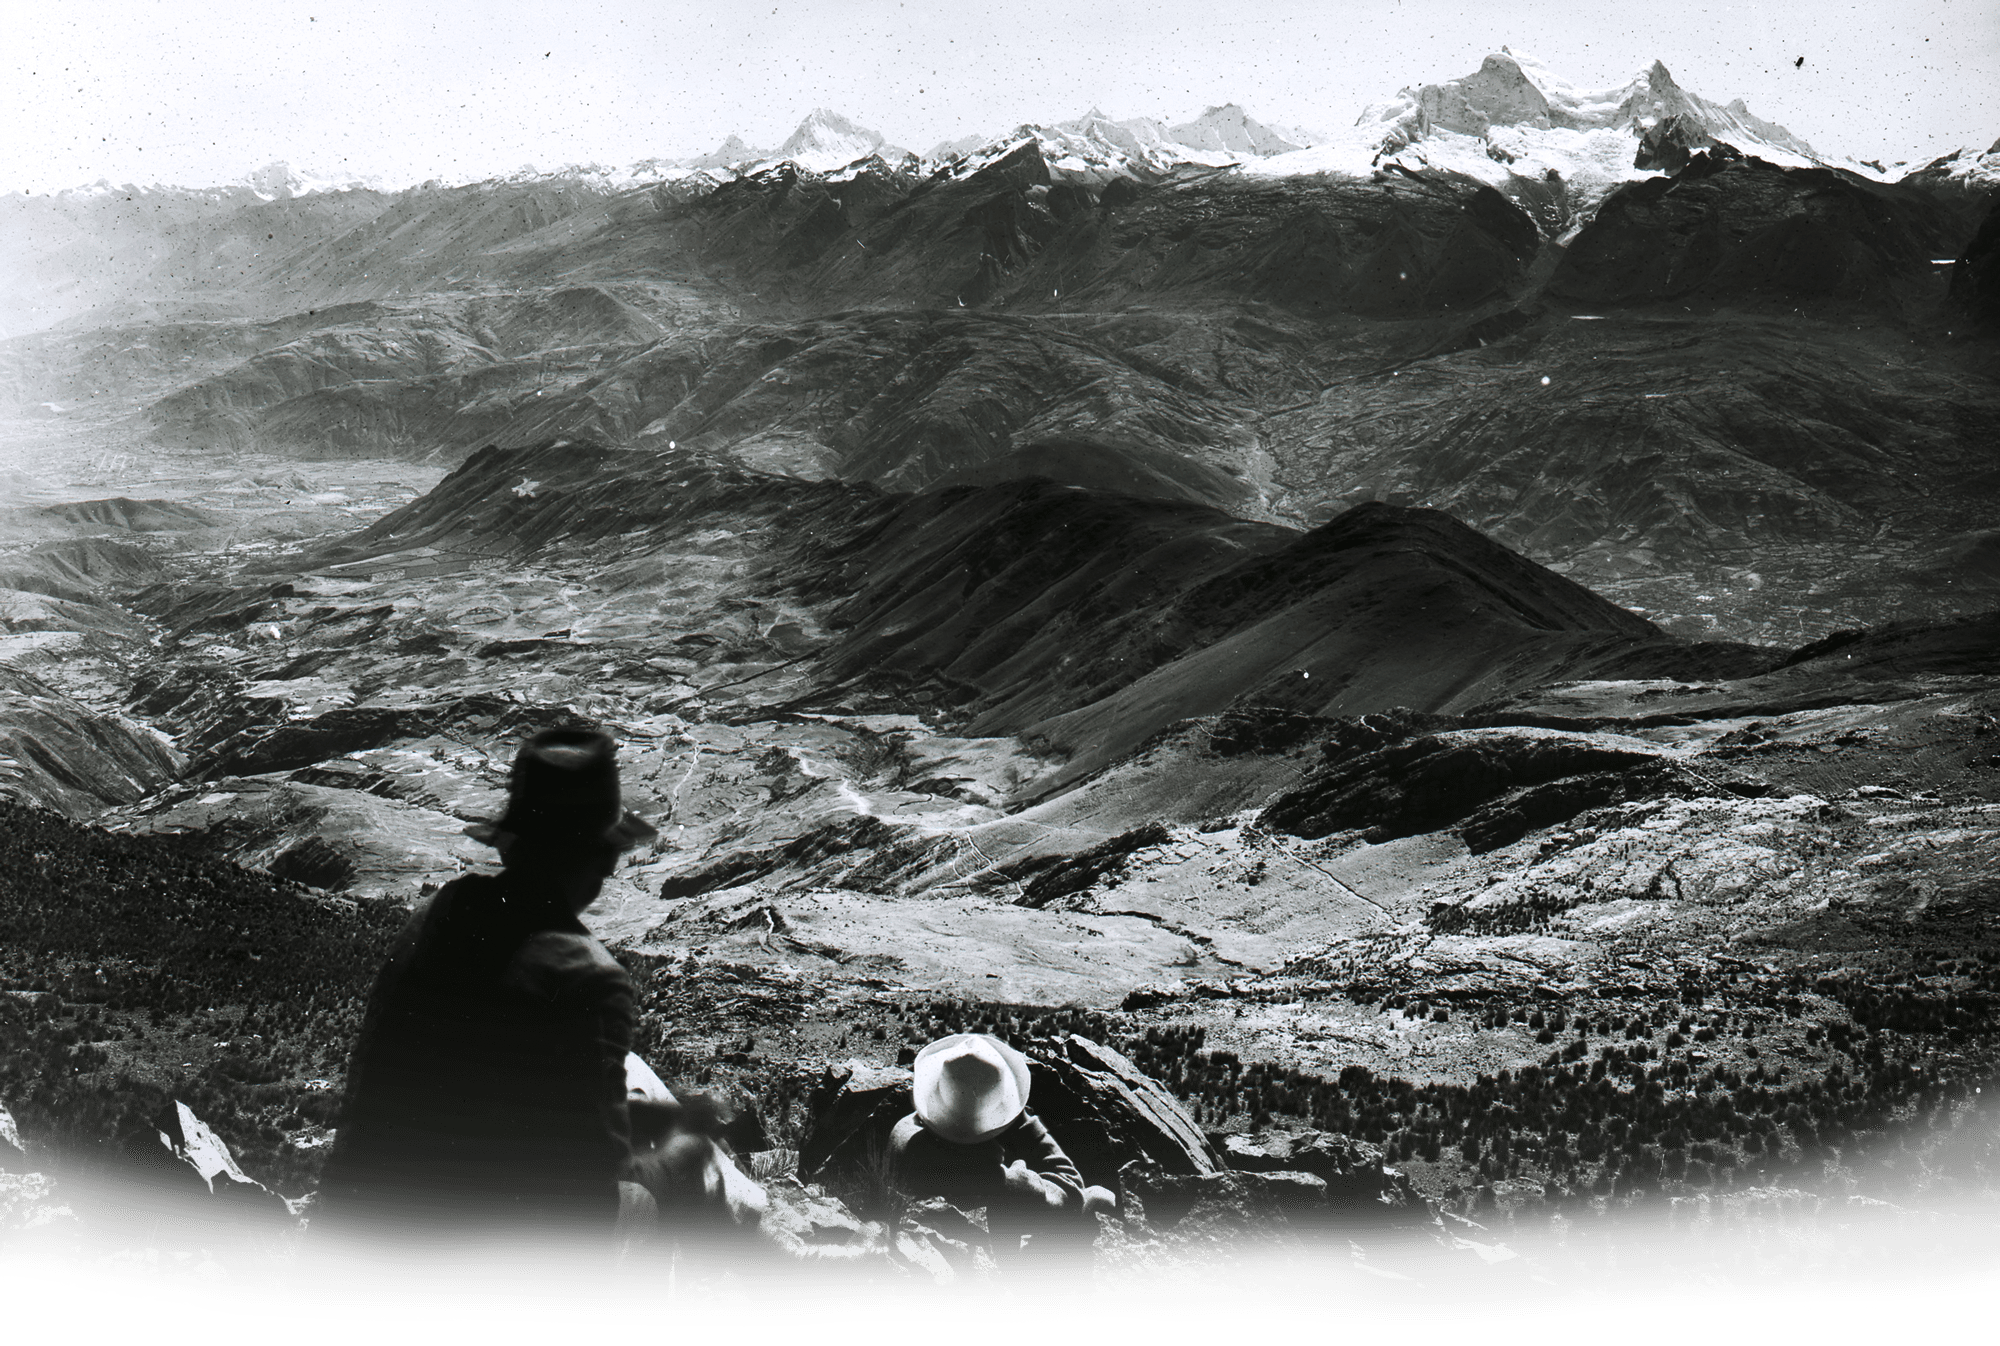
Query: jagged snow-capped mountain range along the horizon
[{"x": 1513, "y": 125}]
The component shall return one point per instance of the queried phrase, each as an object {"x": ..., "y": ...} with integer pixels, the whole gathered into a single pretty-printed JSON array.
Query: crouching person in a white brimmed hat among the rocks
[{"x": 975, "y": 1143}]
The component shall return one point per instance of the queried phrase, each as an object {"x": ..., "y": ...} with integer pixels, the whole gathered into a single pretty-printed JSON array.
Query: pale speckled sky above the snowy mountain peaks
[{"x": 199, "y": 93}]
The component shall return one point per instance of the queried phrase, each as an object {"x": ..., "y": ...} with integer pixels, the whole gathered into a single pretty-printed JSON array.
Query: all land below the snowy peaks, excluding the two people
[{"x": 1495, "y": 715}]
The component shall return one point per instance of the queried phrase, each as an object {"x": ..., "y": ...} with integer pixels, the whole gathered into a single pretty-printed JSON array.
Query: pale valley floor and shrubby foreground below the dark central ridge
[{"x": 1661, "y": 981}]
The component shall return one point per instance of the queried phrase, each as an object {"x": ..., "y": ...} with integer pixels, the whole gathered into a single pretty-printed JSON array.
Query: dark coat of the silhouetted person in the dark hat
[{"x": 485, "y": 1099}]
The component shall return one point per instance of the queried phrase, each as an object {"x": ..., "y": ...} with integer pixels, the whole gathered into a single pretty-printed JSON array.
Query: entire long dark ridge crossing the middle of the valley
[{"x": 1083, "y": 617}]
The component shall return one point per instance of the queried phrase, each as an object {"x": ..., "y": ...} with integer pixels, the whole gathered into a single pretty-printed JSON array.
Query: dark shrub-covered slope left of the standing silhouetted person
[{"x": 143, "y": 969}]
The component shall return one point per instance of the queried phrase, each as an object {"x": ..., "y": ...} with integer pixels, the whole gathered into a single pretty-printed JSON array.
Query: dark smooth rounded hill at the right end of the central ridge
[{"x": 1383, "y": 607}]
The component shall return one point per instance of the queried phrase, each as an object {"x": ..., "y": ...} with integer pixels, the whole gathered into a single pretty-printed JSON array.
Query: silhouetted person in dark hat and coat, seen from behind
[{"x": 485, "y": 1127}]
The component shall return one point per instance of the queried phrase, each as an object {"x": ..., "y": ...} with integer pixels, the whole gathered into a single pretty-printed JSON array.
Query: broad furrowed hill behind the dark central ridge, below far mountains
[{"x": 911, "y": 399}]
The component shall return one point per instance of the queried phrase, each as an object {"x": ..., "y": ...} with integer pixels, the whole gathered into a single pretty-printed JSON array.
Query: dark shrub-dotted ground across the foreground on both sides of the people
[{"x": 1773, "y": 1127}]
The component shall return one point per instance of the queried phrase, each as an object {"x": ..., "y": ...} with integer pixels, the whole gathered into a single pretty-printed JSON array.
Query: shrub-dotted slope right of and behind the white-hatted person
[{"x": 1635, "y": 1153}]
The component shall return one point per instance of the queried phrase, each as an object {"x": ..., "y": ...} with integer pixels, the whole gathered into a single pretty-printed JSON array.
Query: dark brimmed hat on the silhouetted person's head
[{"x": 565, "y": 789}]
